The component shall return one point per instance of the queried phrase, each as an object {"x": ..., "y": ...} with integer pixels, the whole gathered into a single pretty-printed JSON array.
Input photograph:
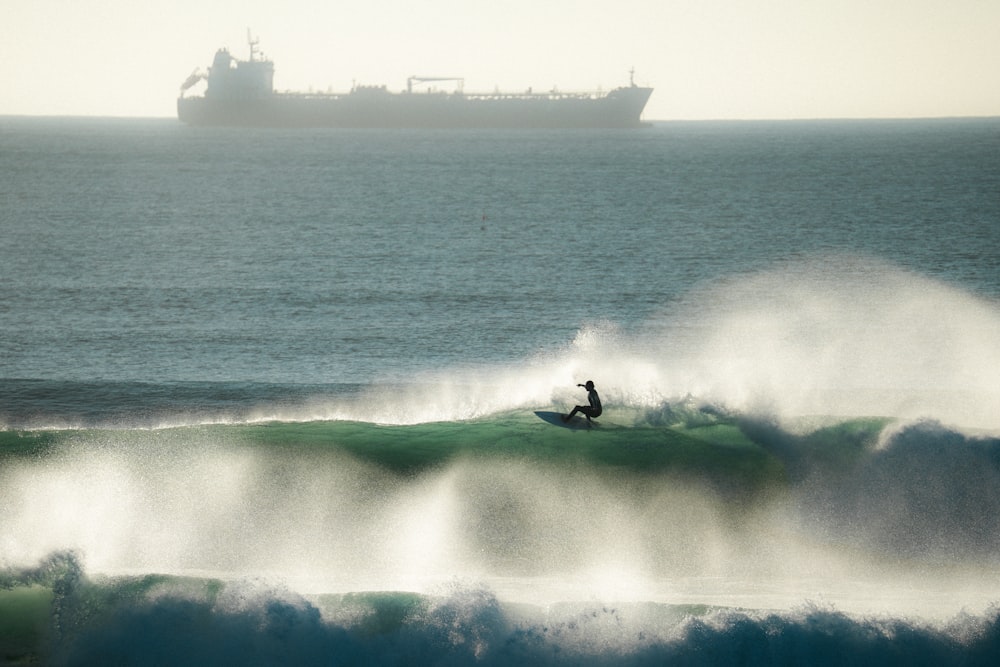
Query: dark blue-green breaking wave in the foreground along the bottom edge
[{"x": 73, "y": 619}]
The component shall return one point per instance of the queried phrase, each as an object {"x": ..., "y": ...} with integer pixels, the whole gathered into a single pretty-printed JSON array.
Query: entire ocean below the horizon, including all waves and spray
[{"x": 268, "y": 397}]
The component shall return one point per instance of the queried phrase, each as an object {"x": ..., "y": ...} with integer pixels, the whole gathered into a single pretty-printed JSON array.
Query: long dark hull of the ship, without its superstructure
[{"x": 620, "y": 108}]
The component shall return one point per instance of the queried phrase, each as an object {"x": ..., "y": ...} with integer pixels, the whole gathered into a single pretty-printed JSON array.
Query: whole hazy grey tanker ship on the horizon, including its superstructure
[{"x": 241, "y": 93}]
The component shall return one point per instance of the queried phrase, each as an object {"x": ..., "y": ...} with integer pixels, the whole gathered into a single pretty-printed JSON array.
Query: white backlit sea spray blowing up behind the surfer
[{"x": 831, "y": 335}]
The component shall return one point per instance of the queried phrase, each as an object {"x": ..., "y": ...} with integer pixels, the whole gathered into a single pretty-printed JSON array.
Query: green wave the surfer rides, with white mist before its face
[{"x": 705, "y": 494}]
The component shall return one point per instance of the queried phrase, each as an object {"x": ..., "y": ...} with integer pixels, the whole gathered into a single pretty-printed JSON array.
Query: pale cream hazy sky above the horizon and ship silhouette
[{"x": 705, "y": 58}]
